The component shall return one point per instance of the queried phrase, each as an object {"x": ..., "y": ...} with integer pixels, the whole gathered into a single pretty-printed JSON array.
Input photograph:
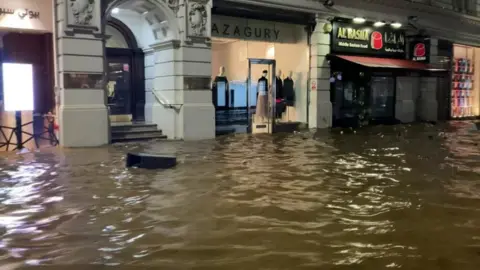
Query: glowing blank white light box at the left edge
[{"x": 18, "y": 86}]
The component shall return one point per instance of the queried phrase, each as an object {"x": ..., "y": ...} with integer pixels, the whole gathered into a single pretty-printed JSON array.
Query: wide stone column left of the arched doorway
[{"x": 83, "y": 115}]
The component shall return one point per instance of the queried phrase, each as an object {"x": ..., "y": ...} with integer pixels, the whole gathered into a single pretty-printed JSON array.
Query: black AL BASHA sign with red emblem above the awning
[{"x": 366, "y": 39}]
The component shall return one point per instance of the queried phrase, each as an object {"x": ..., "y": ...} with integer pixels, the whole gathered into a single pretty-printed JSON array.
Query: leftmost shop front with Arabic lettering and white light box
[{"x": 26, "y": 40}]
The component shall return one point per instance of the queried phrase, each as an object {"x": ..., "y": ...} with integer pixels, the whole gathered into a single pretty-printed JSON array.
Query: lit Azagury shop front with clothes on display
[{"x": 260, "y": 74}]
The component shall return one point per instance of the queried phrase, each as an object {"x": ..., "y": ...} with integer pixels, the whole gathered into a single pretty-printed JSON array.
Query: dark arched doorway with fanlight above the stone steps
[{"x": 125, "y": 73}]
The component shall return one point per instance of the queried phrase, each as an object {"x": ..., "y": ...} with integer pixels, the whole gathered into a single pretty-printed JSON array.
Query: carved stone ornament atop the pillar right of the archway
[{"x": 197, "y": 19}]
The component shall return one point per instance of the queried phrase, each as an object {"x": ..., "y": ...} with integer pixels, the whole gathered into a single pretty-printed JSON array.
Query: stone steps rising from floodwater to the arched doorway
[{"x": 122, "y": 132}]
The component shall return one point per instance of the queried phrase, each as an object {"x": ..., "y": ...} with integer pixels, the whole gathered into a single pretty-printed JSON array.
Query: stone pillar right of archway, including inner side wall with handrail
[{"x": 178, "y": 75}]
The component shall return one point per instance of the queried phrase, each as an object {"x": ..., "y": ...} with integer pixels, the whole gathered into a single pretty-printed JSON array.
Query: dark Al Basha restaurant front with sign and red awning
[{"x": 372, "y": 82}]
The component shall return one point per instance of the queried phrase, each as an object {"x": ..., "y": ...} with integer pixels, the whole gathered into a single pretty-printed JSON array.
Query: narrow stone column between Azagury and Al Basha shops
[{"x": 320, "y": 107}]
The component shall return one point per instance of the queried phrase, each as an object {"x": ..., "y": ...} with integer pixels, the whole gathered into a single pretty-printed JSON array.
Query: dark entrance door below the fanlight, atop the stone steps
[{"x": 119, "y": 86}]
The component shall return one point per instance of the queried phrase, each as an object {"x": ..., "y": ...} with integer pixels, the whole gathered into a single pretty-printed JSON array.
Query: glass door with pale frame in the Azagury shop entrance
[{"x": 261, "y": 100}]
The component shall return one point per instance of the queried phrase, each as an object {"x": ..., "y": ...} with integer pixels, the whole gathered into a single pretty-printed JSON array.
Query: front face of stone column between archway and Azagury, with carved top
[{"x": 197, "y": 114}]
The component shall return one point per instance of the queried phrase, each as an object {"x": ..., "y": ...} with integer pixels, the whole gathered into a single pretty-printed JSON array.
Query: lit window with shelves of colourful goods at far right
[{"x": 465, "y": 94}]
